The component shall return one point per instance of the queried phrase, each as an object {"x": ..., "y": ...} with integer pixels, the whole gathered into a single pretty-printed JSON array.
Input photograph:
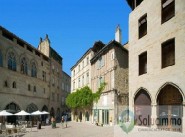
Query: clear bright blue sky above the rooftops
[{"x": 72, "y": 25}]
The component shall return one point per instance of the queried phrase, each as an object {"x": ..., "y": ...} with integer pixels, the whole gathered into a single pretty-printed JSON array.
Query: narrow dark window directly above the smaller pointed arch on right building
[{"x": 143, "y": 63}]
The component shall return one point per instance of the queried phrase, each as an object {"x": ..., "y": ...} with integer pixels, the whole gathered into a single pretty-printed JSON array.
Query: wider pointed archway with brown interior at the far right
[{"x": 169, "y": 111}]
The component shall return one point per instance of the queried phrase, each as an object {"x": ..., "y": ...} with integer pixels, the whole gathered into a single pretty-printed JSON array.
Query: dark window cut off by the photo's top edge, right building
[{"x": 168, "y": 10}]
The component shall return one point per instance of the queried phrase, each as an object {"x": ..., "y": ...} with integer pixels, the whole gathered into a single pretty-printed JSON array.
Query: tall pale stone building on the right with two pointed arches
[{"x": 156, "y": 66}]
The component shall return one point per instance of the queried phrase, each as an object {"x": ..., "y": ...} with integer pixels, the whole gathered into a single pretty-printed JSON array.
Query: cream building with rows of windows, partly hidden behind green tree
[{"x": 80, "y": 77}]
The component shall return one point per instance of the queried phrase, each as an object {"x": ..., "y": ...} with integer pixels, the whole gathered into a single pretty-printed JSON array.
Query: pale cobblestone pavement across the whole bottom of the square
[{"x": 88, "y": 130}]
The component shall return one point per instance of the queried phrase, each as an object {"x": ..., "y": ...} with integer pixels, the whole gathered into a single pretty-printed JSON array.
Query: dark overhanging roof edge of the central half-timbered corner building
[{"x": 108, "y": 47}]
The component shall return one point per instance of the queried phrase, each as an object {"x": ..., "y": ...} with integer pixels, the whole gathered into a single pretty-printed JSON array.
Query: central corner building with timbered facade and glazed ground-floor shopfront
[{"x": 110, "y": 65}]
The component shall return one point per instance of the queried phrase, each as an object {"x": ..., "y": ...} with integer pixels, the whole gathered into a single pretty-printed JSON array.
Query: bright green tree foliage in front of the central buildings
[{"x": 84, "y": 97}]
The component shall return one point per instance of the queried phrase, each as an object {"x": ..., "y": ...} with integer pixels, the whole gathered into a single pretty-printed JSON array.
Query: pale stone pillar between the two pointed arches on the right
[{"x": 153, "y": 115}]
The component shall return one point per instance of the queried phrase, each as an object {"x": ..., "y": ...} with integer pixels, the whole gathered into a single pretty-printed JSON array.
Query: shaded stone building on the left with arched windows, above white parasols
[{"x": 30, "y": 78}]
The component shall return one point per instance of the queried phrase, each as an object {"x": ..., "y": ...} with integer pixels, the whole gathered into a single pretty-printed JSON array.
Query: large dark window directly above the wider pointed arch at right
[{"x": 168, "y": 53}]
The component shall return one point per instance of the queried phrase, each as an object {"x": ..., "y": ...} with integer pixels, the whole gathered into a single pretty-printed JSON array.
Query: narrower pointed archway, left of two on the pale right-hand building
[{"x": 142, "y": 108}]
